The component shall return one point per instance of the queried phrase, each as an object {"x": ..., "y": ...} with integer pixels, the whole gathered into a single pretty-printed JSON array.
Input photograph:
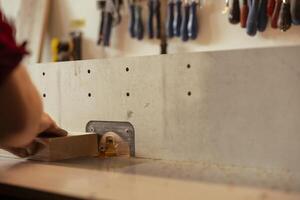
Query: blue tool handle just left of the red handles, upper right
[{"x": 262, "y": 20}]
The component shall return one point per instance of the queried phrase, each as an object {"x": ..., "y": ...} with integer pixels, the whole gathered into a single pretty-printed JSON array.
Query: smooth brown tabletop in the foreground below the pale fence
[{"x": 124, "y": 178}]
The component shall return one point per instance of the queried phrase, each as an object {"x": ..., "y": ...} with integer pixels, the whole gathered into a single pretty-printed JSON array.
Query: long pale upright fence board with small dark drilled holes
[{"x": 236, "y": 107}]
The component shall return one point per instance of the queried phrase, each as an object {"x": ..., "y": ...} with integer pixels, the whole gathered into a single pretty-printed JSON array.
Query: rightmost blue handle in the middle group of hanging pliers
[{"x": 193, "y": 21}]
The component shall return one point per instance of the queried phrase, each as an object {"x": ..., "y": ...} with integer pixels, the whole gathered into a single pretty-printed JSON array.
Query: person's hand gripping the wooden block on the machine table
[{"x": 47, "y": 128}]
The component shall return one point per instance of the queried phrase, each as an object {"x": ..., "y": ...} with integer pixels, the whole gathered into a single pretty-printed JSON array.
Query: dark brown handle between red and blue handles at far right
[{"x": 285, "y": 19}]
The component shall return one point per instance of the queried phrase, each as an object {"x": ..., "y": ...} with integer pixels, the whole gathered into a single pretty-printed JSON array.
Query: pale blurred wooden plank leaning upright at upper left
[{"x": 31, "y": 26}]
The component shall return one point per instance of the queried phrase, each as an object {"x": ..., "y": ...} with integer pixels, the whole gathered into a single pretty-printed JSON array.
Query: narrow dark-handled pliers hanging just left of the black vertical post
[{"x": 154, "y": 12}]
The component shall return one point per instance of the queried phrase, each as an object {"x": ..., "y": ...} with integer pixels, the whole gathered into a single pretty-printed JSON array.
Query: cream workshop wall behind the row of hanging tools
[{"x": 215, "y": 31}]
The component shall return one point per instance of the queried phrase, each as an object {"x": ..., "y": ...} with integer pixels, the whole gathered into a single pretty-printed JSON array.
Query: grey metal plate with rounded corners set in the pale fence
[{"x": 124, "y": 129}]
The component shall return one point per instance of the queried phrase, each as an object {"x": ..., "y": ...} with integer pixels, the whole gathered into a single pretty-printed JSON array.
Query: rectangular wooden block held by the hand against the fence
[{"x": 61, "y": 148}]
